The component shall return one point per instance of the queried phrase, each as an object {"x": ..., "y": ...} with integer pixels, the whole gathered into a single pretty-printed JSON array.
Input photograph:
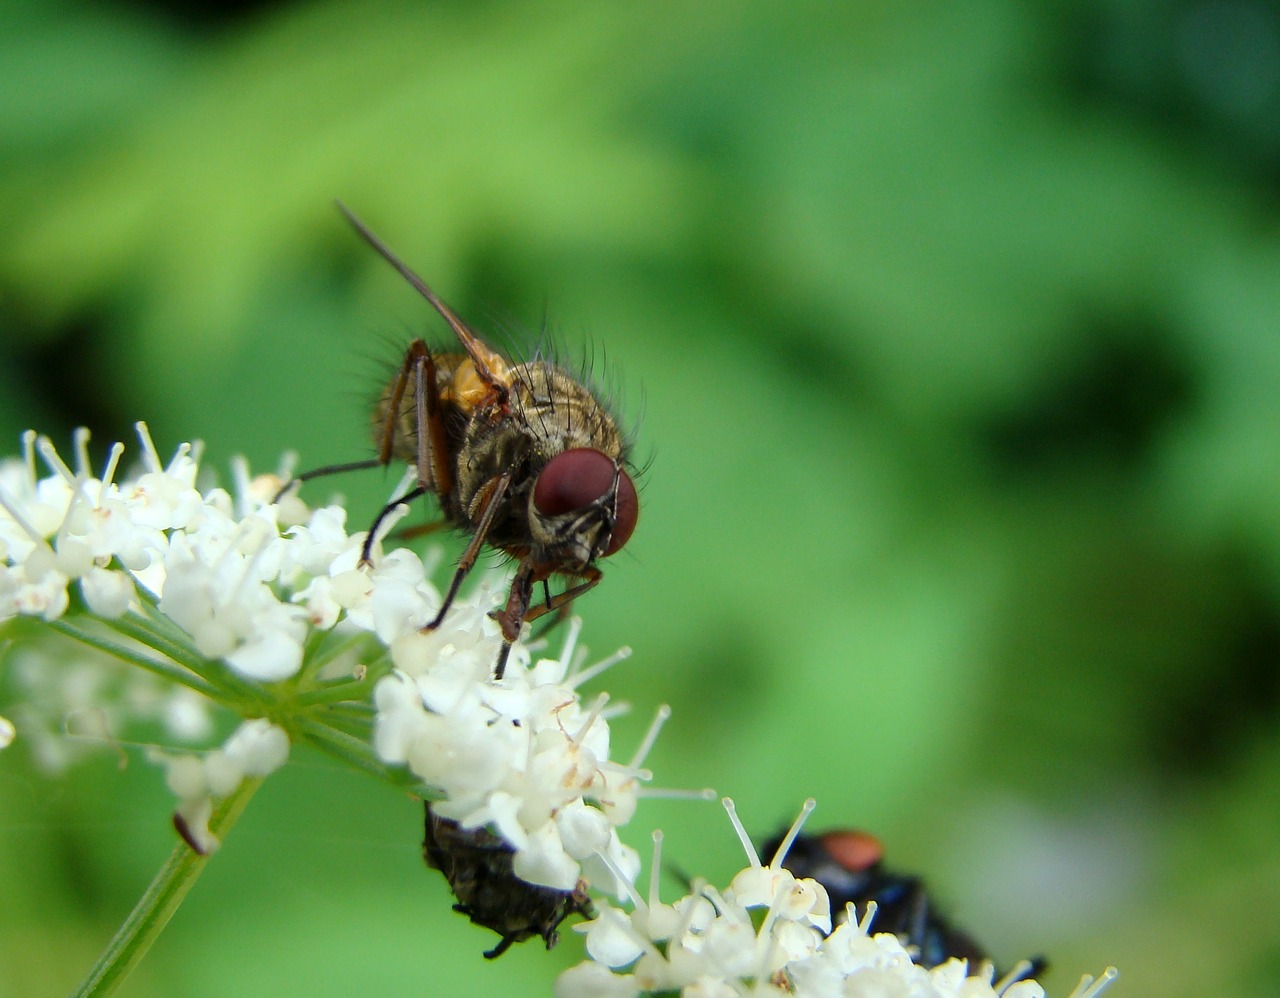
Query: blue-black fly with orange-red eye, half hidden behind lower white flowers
[{"x": 849, "y": 864}]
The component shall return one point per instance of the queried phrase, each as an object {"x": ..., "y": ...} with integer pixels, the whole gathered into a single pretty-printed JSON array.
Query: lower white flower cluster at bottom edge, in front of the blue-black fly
[{"x": 708, "y": 945}]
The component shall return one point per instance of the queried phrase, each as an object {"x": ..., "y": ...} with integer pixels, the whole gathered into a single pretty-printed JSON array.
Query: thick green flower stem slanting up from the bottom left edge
[{"x": 161, "y": 901}]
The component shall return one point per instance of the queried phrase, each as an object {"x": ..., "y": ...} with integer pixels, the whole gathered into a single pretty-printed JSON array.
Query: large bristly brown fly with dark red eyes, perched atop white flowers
[{"x": 520, "y": 456}]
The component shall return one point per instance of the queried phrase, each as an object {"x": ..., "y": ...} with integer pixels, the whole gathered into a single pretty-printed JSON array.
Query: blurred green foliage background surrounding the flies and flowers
[{"x": 953, "y": 335}]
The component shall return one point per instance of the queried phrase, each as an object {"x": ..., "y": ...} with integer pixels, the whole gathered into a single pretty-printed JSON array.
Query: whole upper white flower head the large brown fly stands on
[{"x": 524, "y": 756}]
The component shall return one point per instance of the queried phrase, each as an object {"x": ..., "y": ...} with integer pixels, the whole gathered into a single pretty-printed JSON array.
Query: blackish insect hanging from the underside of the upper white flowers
[{"x": 478, "y": 866}]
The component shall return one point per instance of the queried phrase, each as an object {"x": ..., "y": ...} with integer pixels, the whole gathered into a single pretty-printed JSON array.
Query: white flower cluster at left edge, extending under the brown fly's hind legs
[{"x": 223, "y": 571}]
